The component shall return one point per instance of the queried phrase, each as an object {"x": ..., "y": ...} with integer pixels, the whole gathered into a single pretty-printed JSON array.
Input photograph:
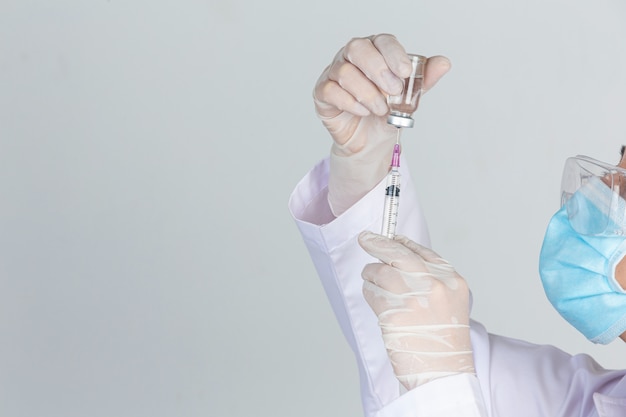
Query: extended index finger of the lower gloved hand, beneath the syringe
[{"x": 391, "y": 252}]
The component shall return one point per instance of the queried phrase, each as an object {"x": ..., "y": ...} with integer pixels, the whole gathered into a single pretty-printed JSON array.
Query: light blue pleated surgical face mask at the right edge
[{"x": 578, "y": 271}]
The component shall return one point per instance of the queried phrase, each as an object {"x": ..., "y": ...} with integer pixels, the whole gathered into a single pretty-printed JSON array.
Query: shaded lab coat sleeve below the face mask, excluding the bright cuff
[{"x": 525, "y": 379}]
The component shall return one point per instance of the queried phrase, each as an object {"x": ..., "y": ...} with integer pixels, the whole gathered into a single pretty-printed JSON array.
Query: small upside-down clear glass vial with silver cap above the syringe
[{"x": 404, "y": 105}]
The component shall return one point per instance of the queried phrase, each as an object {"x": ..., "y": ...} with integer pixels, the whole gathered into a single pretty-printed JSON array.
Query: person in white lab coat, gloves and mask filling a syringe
[{"x": 432, "y": 359}]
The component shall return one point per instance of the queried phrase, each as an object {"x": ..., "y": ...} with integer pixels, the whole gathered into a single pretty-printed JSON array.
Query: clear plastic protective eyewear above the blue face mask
[{"x": 593, "y": 194}]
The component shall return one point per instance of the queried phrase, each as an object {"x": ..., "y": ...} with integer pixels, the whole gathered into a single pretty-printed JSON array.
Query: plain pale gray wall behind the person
[{"x": 148, "y": 263}]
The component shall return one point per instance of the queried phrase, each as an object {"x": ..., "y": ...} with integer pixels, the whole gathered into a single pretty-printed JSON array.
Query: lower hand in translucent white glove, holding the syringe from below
[{"x": 422, "y": 305}]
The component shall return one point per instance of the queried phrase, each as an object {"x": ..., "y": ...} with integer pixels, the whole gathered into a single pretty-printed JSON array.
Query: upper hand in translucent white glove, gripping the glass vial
[{"x": 351, "y": 100}]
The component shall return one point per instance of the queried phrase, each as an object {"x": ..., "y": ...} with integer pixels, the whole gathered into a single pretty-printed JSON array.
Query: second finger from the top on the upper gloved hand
[{"x": 363, "y": 54}]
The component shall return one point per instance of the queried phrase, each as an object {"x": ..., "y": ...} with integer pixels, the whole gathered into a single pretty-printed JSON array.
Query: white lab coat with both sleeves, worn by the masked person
[{"x": 514, "y": 378}]
